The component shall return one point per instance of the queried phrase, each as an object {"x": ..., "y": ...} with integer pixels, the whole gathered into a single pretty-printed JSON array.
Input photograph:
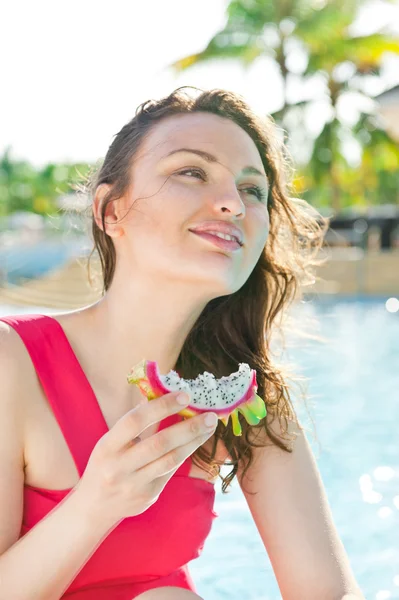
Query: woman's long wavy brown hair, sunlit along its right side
[{"x": 237, "y": 327}]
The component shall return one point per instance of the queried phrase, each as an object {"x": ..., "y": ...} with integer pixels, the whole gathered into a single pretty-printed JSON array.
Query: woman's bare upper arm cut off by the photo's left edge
[{"x": 12, "y": 361}]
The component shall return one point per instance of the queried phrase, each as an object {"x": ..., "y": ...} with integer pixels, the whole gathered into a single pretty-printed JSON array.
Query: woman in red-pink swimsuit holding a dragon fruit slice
[{"x": 111, "y": 503}]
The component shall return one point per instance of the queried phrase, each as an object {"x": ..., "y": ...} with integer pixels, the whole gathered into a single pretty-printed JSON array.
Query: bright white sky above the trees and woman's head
[{"x": 73, "y": 72}]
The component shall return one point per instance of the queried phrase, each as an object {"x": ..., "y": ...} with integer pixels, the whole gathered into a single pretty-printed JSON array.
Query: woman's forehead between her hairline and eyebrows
[{"x": 205, "y": 131}]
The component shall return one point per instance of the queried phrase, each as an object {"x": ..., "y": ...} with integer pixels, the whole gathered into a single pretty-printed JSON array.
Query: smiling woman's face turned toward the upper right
[{"x": 173, "y": 191}]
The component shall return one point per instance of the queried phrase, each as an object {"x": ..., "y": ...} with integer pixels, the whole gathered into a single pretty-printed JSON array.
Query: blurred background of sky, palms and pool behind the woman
[{"x": 328, "y": 72}]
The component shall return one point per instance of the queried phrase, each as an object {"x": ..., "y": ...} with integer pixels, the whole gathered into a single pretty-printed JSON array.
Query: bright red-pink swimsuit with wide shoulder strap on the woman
[{"x": 147, "y": 551}]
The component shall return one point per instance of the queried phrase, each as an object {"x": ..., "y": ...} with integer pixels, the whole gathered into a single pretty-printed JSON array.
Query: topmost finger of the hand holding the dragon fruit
[{"x": 135, "y": 421}]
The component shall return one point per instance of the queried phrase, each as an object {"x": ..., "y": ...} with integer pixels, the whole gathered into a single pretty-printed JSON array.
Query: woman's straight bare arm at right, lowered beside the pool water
[{"x": 294, "y": 519}]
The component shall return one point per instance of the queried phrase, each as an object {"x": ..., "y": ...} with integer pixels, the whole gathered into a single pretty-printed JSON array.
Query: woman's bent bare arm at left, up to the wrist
[{"x": 43, "y": 563}]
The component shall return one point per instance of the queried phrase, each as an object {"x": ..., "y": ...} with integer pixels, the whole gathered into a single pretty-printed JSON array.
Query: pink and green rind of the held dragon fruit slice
[{"x": 147, "y": 377}]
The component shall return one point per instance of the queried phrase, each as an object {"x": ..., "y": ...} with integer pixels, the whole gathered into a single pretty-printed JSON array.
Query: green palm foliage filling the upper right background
[{"x": 322, "y": 28}]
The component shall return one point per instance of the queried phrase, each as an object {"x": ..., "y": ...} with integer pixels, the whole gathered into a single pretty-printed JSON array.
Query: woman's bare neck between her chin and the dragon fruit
[{"x": 136, "y": 322}]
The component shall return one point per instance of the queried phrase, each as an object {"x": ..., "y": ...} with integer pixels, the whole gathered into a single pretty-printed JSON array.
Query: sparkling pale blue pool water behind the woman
[{"x": 354, "y": 389}]
